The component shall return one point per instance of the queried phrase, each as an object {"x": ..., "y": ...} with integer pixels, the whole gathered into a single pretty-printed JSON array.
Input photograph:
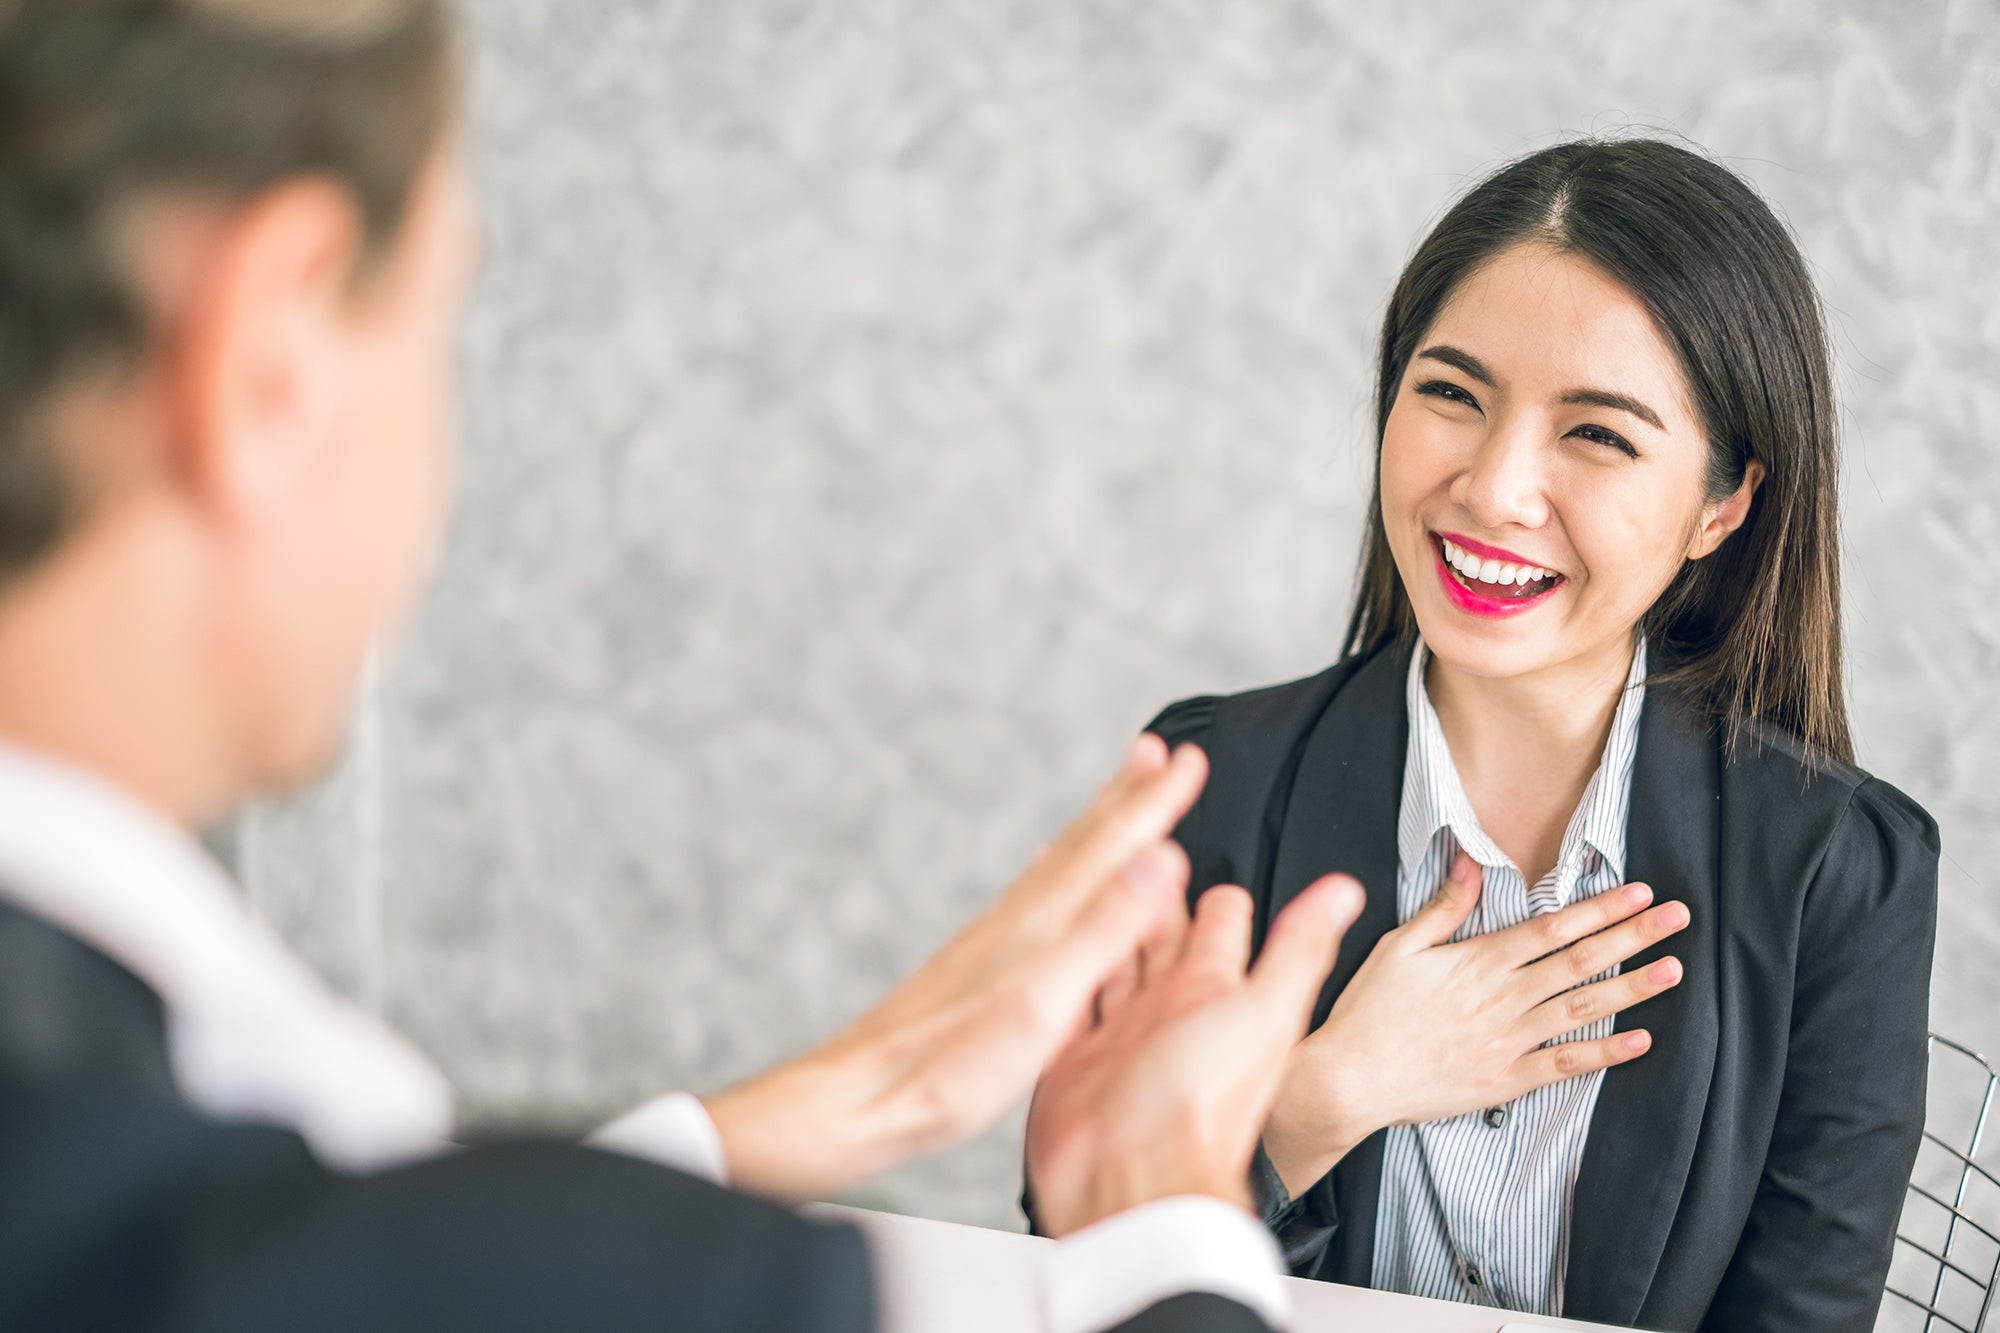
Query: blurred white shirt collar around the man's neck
[{"x": 253, "y": 1034}]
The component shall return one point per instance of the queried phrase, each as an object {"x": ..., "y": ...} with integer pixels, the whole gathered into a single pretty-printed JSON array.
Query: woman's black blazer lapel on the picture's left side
[{"x": 1341, "y": 816}]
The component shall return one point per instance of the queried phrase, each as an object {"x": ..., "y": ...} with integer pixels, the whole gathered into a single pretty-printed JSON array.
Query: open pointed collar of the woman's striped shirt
[{"x": 1435, "y": 798}]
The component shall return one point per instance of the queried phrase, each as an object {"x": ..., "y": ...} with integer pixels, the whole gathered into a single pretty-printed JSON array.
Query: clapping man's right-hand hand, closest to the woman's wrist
[{"x": 1167, "y": 1090}]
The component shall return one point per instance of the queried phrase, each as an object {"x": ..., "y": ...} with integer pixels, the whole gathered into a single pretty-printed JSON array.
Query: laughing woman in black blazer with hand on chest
[{"x": 1597, "y": 639}]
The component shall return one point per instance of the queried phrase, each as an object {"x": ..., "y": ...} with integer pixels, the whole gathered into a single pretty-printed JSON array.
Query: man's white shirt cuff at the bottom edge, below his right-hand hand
[{"x": 1129, "y": 1264}]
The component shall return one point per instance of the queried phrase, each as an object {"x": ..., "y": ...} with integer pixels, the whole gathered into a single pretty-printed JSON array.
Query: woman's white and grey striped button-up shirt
[{"x": 1479, "y": 1208}]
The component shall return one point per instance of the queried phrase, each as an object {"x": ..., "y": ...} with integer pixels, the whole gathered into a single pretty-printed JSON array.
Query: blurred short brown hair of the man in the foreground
[{"x": 109, "y": 103}]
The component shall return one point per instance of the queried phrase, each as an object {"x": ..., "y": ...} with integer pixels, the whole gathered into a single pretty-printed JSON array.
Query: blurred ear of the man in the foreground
[{"x": 255, "y": 359}]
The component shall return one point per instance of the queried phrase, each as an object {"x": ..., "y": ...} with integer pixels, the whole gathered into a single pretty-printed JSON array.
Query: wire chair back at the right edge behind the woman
[{"x": 1949, "y": 1238}]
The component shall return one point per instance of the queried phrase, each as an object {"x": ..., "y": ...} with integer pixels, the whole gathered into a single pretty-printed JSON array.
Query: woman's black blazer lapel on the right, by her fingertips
[{"x": 1651, "y": 1112}]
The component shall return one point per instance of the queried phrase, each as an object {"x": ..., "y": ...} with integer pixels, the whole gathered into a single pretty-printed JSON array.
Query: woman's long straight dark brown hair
[{"x": 1751, "y": 631}]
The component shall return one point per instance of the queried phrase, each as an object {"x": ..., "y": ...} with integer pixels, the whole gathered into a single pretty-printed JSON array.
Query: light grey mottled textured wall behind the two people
[{"x": 877, "y": 409}]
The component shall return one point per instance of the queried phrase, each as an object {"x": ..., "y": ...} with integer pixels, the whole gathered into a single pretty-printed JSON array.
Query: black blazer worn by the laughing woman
[{"x": 1747, "y": 1174}]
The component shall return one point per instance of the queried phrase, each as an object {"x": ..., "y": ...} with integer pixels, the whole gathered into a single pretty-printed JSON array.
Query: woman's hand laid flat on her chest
[{"x": 1431, "y": 1030}]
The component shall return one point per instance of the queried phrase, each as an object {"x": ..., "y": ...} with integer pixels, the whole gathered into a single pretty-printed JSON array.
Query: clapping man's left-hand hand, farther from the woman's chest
[{"x": 951, "y": 1050}]
